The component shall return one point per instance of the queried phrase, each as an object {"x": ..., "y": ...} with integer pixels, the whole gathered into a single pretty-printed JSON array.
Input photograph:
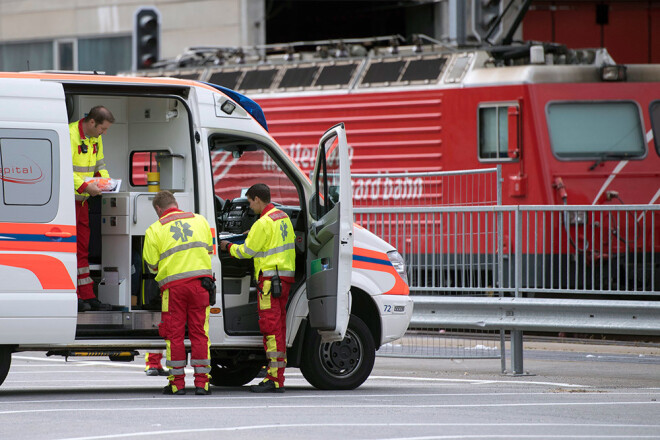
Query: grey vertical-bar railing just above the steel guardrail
[{"x": 526, "y": 250}]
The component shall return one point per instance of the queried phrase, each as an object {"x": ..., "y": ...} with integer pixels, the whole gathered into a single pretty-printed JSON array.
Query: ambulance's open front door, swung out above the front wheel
[{"x": 330, "y": 238}]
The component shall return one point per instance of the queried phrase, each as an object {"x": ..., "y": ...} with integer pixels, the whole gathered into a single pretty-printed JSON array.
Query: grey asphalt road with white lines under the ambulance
[{"x": 572, "y": 391}]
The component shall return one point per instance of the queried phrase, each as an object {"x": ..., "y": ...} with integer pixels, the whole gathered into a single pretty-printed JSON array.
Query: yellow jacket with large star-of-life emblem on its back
[{"x": 178, "y": 247}]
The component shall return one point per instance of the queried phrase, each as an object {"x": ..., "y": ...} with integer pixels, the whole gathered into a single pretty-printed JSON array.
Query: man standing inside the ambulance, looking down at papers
[{"x": 88, "y": 161}]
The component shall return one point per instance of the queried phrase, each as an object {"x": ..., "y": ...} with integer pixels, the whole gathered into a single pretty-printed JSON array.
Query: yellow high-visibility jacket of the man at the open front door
[{"x": 271, "y": 243}]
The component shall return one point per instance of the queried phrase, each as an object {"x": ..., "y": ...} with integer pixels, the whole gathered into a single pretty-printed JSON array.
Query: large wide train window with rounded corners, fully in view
[{"x": 595, "y": 129}]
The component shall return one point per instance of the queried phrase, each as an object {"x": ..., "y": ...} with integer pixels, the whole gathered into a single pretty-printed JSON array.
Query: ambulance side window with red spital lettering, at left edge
[{"x": 29, "y": 175}]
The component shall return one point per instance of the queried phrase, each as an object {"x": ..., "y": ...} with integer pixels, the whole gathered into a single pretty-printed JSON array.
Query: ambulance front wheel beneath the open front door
[{"x": 342, "y": 365}]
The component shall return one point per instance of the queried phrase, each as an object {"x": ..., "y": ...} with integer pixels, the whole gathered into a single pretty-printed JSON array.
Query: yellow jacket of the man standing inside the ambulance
[{"x": 85, "y": 164}]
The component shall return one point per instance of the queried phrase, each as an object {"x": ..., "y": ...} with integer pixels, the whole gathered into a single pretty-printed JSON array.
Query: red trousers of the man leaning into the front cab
[{"x": 272, "y": 323}]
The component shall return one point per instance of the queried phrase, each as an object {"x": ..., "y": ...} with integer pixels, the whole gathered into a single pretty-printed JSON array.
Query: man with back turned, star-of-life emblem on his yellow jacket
[{"x": 177, "y": 249}]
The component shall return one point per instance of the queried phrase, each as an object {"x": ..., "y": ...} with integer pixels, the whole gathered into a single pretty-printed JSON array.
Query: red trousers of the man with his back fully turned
[{"x": 186, "y": 302}]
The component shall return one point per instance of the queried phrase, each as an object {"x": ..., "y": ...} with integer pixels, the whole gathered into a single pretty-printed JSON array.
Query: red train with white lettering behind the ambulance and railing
[{"x": 567, "y": 127}]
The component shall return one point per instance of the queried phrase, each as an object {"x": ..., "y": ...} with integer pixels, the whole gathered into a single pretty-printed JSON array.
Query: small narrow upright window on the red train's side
[{"x": 493, "y": 132}]
